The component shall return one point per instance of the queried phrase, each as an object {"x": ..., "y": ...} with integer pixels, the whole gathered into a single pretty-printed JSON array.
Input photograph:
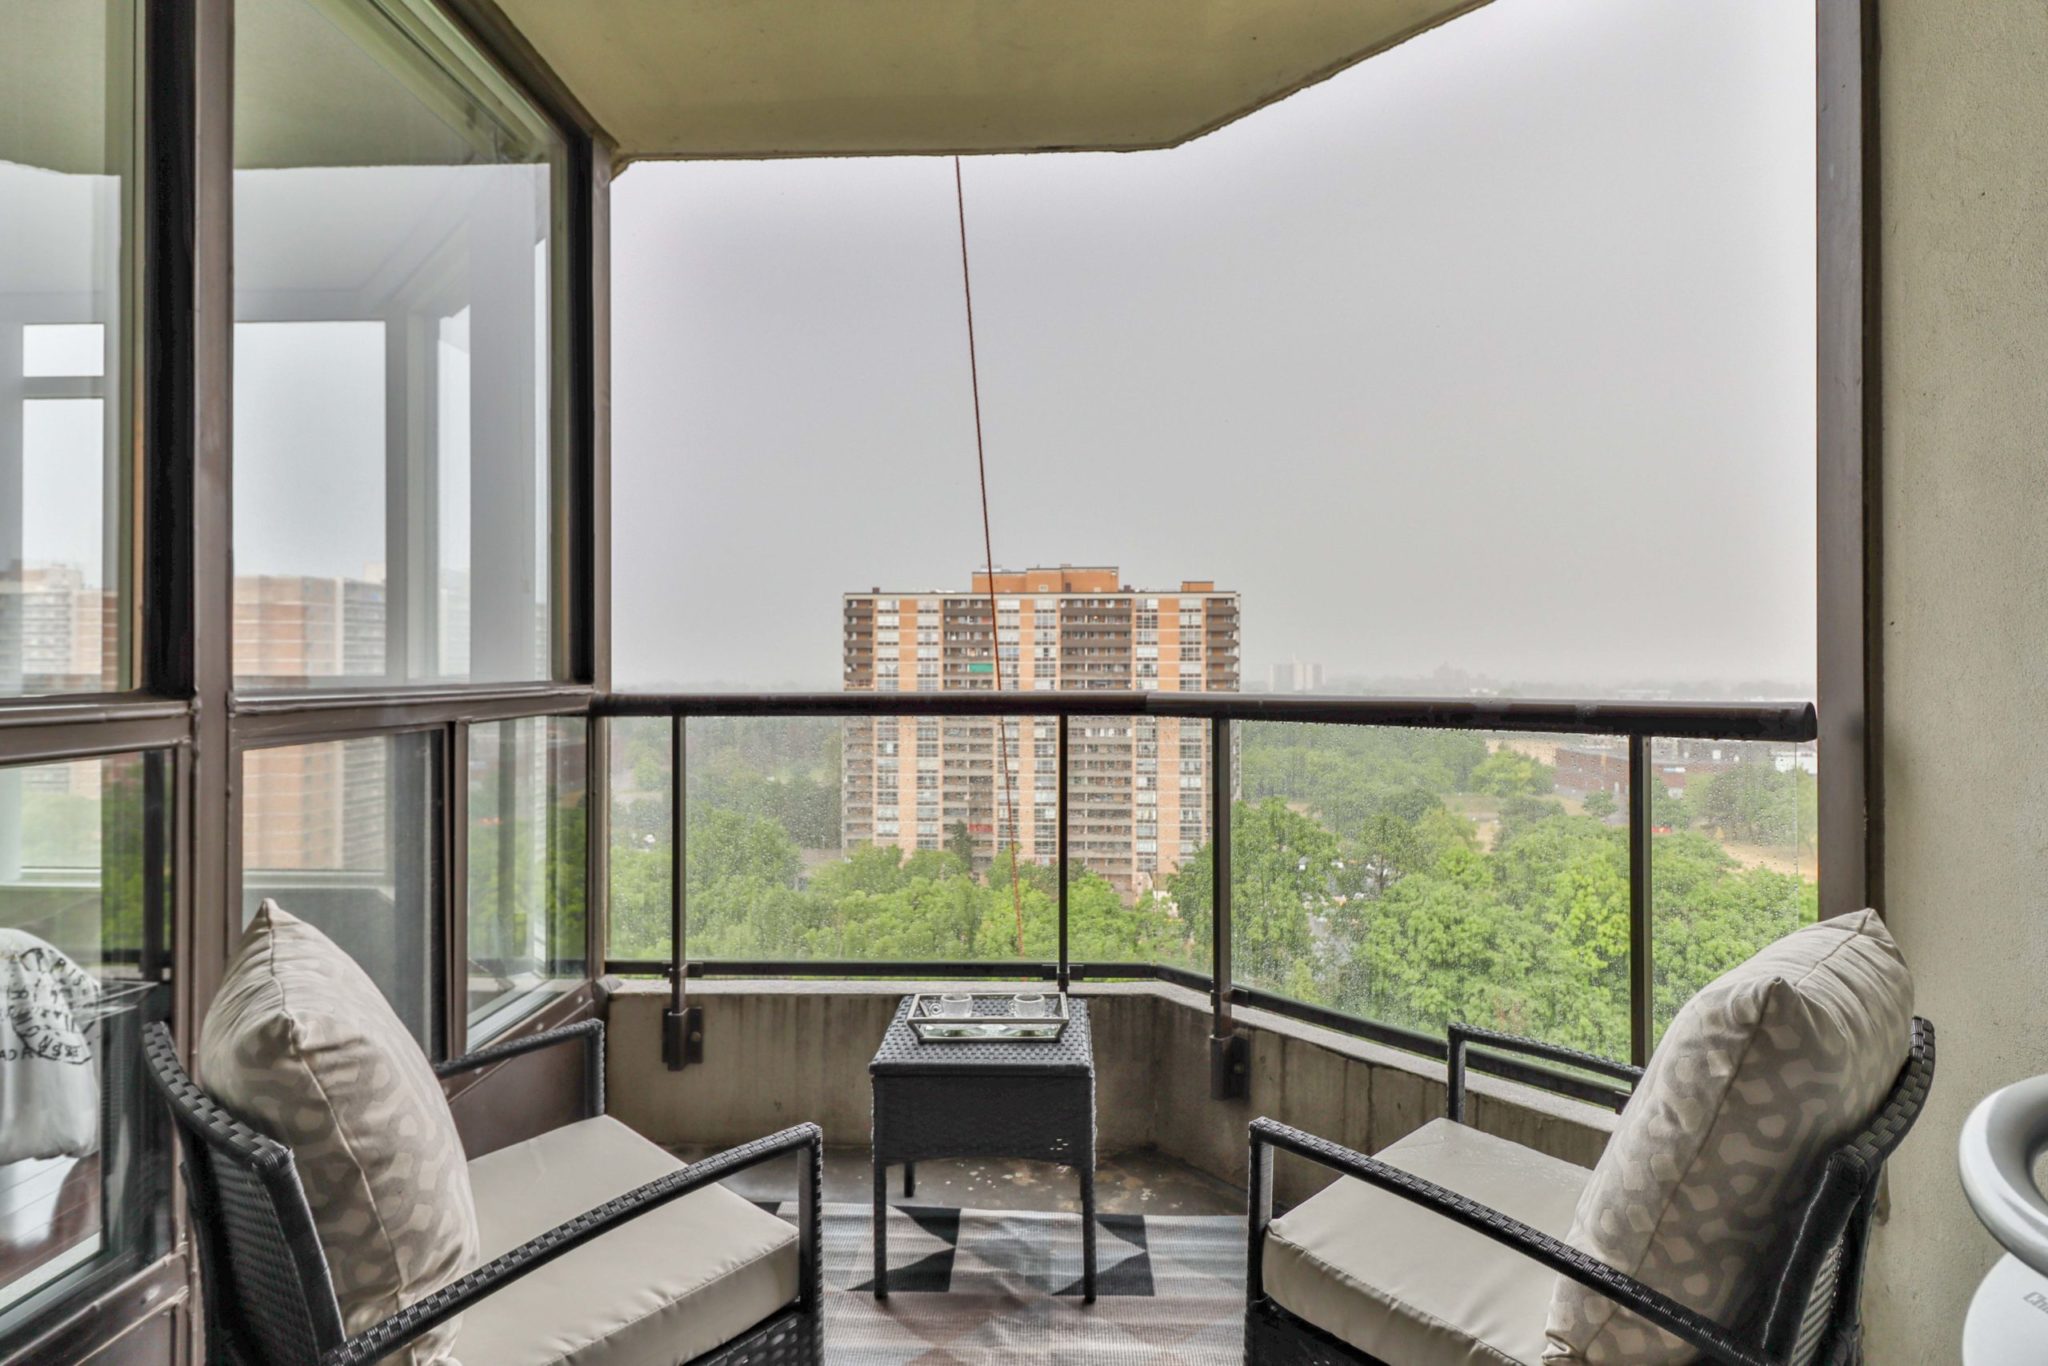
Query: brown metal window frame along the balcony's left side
[{"x": 177, "y": 630}]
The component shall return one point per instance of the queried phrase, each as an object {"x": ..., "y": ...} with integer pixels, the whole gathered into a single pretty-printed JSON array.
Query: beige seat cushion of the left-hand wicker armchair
[{"x": 656, "y": 1291}]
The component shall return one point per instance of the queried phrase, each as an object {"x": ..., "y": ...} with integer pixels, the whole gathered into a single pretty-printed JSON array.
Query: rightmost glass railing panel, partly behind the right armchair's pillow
[{"x": 1734, "y": 857}]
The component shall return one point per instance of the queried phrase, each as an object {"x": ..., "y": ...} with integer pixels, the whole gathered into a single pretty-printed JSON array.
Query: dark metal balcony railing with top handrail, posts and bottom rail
[{"x": 1639, "y": 724}]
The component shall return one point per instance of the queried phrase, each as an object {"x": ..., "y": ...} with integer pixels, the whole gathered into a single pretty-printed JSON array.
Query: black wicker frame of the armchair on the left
[{"x": 267, "y": 1289}]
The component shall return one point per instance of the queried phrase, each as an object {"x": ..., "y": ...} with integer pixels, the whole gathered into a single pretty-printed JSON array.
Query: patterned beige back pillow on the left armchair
[{"x": 304, "y": 1048}]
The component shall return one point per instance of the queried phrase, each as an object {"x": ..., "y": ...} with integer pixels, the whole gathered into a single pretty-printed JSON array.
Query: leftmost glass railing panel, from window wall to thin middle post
[{"x": 826, "y": 839}]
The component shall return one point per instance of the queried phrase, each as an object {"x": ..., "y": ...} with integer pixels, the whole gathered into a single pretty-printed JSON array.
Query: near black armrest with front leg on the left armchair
[{"x": 409, "y": 1324}]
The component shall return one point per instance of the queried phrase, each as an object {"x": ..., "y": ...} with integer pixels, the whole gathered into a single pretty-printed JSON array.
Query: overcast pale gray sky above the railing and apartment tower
[{"x": 1496, "y": 353}]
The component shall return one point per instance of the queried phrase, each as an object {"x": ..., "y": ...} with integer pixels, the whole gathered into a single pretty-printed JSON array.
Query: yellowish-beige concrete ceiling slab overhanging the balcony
[{"x": 740, "y": 79}]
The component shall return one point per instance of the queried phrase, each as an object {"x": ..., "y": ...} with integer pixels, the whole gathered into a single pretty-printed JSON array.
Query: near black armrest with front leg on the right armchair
[{"x": 1566, "y": 1261}]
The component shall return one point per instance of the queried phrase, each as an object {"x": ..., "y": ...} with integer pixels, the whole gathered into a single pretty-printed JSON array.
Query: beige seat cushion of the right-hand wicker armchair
[{"x": 1408, "y": 1285}]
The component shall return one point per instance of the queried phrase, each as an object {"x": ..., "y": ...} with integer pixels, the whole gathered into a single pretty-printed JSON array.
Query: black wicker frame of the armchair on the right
[{"x": 1809, "y": 1316}]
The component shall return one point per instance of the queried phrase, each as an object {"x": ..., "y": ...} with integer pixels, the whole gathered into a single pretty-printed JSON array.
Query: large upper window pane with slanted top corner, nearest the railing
[{"x": 394, "y": 364}]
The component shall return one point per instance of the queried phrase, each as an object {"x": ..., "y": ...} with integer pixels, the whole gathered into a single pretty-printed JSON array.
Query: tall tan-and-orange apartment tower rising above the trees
[{"x": 1138, "y": 785}]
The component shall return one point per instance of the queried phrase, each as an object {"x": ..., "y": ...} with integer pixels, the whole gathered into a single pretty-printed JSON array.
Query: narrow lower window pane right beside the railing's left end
[{"x": 527, "y": 867}]
